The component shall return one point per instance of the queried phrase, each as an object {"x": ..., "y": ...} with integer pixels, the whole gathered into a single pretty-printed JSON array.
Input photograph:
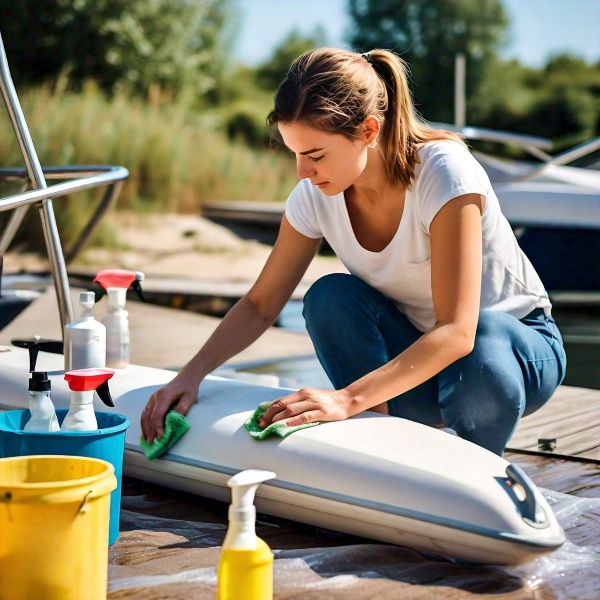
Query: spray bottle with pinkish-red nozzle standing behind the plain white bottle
[{"x": 116, "y": 282}]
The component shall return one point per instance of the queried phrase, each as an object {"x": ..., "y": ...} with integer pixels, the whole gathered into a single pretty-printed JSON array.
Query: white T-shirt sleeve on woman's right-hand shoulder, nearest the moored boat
[{"x": 447, "y": 170}]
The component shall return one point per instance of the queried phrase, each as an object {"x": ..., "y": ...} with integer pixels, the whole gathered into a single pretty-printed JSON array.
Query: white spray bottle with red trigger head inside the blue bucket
[{"x": 83, "y": 383}]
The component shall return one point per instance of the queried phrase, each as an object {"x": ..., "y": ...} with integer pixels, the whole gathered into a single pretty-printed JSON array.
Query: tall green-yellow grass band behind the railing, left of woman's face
[{"x": 177, "y": 159}]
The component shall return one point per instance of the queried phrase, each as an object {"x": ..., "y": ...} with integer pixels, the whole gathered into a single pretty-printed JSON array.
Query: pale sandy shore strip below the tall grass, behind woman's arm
[{"x": 174, "y": 245}]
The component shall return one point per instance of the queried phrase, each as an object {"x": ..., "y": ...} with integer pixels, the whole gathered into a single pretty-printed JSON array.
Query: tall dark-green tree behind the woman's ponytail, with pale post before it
[{"x": 428, "y": 34}]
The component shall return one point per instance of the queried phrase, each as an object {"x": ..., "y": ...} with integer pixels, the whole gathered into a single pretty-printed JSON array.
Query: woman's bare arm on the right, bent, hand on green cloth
[{"x": 456, "y": 263}]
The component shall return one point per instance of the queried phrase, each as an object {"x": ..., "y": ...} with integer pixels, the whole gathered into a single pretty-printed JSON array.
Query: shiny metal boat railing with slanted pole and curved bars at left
[{"x": 36, "y": 191}]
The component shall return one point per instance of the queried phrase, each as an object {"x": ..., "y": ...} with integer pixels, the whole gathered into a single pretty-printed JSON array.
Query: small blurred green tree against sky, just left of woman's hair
[{"x": 270, "y": 74}]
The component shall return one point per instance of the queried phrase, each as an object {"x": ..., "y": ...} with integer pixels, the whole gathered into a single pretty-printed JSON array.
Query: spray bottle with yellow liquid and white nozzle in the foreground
[{"x": 245, "y": 569}]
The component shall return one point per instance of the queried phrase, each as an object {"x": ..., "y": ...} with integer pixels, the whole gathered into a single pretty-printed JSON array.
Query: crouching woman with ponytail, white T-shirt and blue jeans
[{"x": 442, "y": 319}]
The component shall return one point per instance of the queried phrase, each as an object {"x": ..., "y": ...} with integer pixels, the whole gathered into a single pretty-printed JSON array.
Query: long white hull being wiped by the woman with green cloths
[{"x": 375, "y": 476}]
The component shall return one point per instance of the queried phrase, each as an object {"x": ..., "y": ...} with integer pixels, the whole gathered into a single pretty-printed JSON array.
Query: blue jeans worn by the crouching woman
[{"x": 514, "y": 368}]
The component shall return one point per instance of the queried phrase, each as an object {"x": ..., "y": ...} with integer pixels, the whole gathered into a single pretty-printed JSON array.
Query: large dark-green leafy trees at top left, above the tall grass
[{"x": 143, "y": 45}]
